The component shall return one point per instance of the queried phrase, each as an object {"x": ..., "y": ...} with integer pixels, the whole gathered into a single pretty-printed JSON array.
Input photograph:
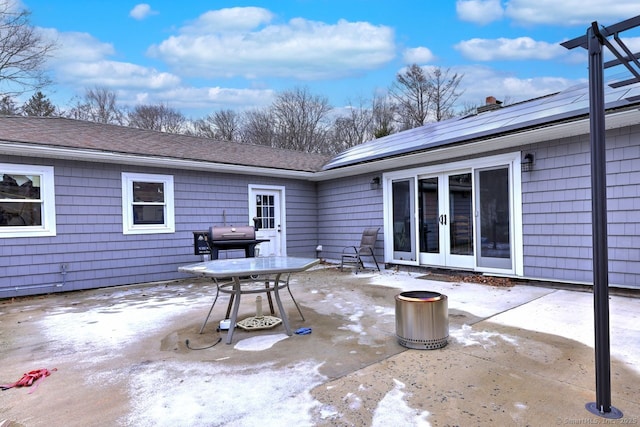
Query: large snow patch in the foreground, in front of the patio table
[{"x": 178, "y": 393}]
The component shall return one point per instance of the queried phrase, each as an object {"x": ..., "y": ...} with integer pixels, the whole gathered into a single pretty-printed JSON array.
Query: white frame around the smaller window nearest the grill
[{"x": 128, "y": 227}]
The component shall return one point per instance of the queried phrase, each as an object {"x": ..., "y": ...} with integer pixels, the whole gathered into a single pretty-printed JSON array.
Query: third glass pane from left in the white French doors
[{"x": 460, "y": 214}]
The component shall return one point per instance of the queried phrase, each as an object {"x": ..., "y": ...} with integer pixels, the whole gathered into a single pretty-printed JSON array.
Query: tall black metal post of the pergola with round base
[{"x": 602, "y": 406}]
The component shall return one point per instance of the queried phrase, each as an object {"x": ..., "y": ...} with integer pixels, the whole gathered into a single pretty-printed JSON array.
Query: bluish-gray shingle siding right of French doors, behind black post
[{"x": 556, "y": 206}]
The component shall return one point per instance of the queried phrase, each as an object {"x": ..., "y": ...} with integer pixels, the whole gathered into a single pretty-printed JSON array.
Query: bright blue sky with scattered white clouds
[{"x": 201, "y": 56}]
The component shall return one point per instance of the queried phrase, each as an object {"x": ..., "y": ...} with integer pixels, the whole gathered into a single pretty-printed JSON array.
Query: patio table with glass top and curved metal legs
[{"x": 237, "y": 269}]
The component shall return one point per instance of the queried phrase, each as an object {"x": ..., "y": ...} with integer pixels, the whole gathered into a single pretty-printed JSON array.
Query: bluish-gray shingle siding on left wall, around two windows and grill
[{"x": 89, "y": 228}]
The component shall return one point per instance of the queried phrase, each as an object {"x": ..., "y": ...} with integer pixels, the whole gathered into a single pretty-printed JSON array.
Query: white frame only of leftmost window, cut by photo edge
[{"x": 47, "y": 199}]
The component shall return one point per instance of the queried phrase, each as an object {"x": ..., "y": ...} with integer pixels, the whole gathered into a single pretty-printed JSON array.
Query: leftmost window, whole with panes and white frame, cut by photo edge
[{"x": 27, "y": 201}]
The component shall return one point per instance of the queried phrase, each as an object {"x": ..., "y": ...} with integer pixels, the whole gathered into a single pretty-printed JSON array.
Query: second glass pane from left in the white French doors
[{"x": 428, "y": 211}]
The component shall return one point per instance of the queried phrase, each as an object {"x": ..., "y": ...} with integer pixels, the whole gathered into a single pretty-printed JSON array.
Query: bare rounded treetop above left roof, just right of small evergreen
[{"x": 99, "y": 105}]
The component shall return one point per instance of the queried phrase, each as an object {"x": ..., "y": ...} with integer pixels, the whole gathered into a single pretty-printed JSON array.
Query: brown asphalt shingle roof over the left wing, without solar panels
[{"x": 70, "y": 133}]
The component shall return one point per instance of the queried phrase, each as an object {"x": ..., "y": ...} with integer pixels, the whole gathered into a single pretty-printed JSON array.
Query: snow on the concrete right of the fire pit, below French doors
[{"x": 564, "y": 313}]
